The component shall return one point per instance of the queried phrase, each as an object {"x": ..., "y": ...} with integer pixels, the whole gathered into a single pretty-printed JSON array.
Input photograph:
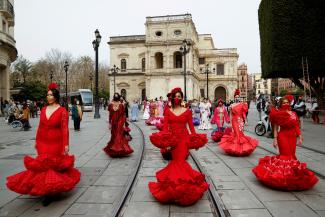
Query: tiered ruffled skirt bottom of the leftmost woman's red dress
[{"x": 45, "y": 175}]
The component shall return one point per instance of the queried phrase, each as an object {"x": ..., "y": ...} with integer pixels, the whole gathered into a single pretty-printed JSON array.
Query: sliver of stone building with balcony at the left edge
[{"x": 8, "y": 51}]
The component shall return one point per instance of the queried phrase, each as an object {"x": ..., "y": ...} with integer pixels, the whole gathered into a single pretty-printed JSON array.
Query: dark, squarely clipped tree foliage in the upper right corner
[{"x": 289, "y": 31}]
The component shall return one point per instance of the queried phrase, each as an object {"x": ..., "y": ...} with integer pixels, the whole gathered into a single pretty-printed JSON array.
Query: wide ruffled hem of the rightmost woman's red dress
[{"x": 284, "y": 173}]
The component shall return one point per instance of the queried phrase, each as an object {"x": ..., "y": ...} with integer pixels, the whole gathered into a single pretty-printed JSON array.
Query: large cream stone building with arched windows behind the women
[{"x": 150, "y": 65}]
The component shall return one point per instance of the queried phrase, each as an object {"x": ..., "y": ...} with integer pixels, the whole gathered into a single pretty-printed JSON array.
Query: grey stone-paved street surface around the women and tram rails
[{"x": 103, "y": 177}]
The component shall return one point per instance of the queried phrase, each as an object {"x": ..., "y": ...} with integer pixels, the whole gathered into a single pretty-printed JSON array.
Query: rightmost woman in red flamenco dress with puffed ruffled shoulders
[{"x": 284, "y": 171}]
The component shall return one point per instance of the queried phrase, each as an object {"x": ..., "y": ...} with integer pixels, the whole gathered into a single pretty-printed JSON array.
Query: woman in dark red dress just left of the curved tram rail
[{"x": 118, "y": 146}]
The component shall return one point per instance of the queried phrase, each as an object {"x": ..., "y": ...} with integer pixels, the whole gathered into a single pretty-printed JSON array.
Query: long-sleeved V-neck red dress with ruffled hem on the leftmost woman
[{"x": 52, "y": 170}]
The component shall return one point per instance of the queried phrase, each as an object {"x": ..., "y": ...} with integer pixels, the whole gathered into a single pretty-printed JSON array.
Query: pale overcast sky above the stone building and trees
[{"x": 69, "y": 25}]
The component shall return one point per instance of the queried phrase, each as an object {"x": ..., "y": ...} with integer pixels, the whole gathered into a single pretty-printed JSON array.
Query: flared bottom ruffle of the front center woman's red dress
[{"x": 178, "y": 183}]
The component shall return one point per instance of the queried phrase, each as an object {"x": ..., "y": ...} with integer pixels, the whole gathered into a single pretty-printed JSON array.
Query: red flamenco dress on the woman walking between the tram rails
[{"x": 178, "y": 182}]
